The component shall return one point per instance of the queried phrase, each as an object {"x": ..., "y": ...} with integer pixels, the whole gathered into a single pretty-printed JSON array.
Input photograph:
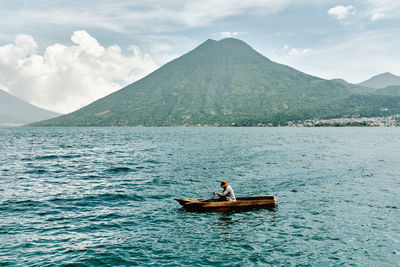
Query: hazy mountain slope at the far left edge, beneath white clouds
[{"x": 14, "y": 111}]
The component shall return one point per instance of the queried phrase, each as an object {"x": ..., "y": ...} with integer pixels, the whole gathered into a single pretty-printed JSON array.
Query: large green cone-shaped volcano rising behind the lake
[{"x": 222, "y": 82}]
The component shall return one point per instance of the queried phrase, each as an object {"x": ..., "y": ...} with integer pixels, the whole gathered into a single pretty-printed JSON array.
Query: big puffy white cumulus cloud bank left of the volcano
[{"x": 65, "y": 78}]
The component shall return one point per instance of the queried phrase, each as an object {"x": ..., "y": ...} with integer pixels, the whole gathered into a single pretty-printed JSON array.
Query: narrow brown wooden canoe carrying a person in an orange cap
[{"x": 241, "y": 203}]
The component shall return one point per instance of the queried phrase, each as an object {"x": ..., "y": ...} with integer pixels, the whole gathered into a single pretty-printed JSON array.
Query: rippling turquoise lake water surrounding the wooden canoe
[{"x": 93, "y": 196}]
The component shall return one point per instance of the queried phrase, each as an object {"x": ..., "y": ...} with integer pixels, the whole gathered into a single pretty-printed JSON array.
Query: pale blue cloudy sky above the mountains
[{"x": 63, "y": 55}]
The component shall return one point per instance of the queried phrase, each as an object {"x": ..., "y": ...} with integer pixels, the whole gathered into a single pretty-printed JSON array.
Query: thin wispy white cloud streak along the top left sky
[{"x": 157, "y": 16}]
